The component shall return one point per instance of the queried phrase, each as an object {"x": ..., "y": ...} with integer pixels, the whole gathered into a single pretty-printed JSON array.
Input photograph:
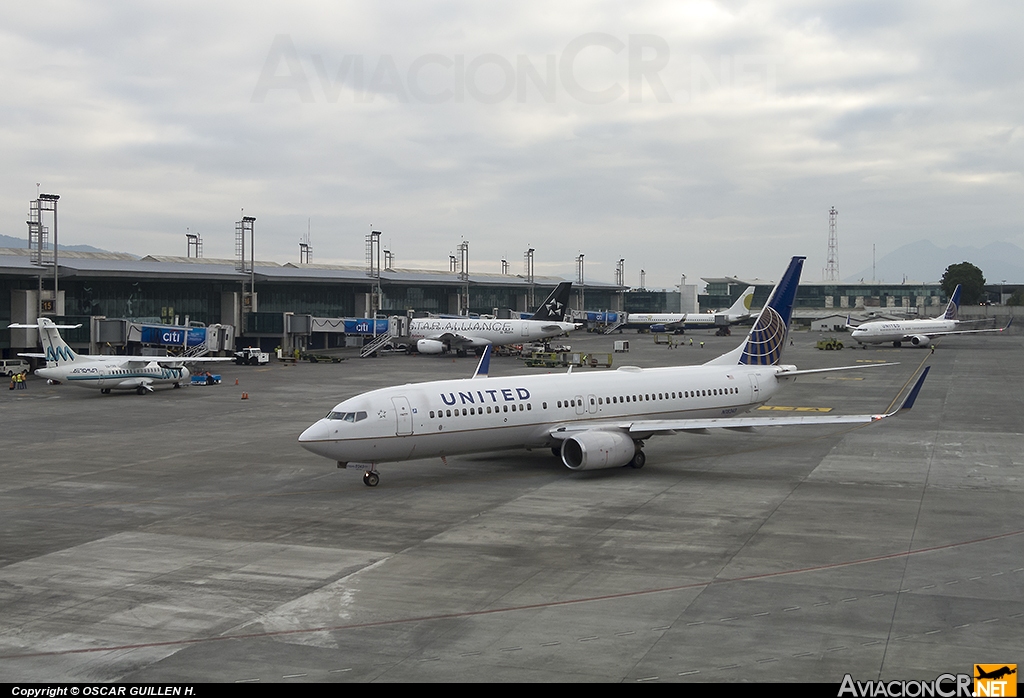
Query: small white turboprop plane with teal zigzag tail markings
[{"x": 106, "y": 373}]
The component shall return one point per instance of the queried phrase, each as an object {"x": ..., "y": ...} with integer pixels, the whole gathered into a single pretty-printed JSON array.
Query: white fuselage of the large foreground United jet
[{"x": 445, "y": 418}]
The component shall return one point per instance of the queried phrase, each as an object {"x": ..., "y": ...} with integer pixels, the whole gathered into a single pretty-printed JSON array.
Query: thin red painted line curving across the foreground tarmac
[{"x": 508, "y": 609}]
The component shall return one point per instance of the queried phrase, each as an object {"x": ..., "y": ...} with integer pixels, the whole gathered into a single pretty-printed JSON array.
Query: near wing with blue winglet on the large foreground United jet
[{"x": 646, "y": 428}]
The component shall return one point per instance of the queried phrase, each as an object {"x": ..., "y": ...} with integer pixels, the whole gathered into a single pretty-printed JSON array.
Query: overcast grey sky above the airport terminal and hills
[{"x": 698, "y": 139}]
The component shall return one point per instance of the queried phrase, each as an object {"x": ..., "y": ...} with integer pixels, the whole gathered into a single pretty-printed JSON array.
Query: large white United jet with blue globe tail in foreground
[{"x": 589, "y": 420}]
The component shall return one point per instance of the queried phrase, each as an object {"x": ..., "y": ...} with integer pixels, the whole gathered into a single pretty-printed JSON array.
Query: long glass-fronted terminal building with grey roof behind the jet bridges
[{"x": 258, "y": 302}]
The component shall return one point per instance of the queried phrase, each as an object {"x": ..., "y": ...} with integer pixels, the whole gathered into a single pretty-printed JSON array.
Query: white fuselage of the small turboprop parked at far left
[{"x": 106, "y": 374}]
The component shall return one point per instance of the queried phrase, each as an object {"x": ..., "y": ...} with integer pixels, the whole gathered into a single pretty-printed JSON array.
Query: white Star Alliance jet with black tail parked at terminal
[{"x": 438, "y": 335}]
